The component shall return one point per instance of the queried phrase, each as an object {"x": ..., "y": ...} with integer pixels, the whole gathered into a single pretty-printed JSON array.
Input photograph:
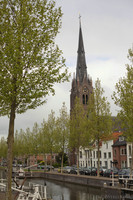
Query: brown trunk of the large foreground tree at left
[{"x": 10, "y": 141}]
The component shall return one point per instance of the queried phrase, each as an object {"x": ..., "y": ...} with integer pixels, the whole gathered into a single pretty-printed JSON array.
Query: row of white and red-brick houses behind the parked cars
[{"x": 115, "y": 152}]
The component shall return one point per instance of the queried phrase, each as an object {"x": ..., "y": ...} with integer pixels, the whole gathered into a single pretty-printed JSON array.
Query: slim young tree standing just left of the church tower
[{"x": 63, "y": 131}]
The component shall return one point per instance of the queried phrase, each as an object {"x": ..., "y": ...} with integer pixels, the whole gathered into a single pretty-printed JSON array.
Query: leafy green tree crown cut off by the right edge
[{"x": 123, "y": 97}]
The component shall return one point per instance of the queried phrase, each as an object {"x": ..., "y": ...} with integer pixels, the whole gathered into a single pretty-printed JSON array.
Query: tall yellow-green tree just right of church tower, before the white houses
[{"x": 99, "y": 117}]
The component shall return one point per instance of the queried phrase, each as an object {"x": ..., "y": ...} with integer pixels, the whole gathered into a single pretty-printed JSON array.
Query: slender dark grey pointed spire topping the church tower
[{"x": 81, "y": 69}]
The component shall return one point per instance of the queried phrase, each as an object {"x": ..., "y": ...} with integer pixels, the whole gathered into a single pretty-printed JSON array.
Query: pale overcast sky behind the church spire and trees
[{"x": 107, "y": 28}]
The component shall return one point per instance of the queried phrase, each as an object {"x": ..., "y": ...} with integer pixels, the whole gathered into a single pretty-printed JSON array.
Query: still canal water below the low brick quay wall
[{"x": 58, "y": 190}]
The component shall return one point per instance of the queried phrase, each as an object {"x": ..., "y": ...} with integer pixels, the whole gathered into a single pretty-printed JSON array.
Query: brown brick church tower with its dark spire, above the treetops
[{"x": 81, "y": 83}]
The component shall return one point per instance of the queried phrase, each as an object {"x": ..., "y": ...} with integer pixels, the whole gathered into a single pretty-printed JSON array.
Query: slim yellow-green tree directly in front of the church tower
[{"x": 78, "y": 130}]
